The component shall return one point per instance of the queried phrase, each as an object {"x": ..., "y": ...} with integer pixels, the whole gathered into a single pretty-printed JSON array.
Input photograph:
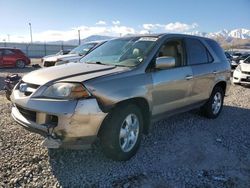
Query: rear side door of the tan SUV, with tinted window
[{"x": 201, "y": 62}]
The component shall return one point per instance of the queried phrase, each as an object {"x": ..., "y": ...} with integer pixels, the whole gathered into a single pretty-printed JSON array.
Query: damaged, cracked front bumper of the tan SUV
[{"x": 69, "y": 124}]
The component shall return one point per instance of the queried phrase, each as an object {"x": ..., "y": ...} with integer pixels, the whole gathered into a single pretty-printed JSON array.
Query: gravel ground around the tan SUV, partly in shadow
[{"x": 185, "y": 150}]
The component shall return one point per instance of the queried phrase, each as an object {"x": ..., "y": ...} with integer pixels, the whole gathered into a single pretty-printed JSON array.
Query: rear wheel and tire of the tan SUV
[{"x": 214, "y": 105}]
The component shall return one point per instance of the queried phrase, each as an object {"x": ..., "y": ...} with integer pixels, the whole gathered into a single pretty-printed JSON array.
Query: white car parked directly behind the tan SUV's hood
[{"x": 73, "y": 56}]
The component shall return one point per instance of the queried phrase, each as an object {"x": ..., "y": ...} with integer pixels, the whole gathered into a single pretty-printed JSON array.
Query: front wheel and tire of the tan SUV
[{"x": 121, "y": 135}]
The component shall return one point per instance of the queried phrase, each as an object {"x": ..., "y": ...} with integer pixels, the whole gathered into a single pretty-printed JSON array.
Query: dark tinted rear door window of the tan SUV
[{"x": 197, "y": 53}]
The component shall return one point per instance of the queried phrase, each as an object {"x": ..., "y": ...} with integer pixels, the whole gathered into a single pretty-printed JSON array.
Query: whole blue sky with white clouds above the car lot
[{"x": 58, "y": 19}]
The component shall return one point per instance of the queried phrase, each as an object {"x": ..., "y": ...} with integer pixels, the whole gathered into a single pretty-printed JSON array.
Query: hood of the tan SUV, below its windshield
[{"x": 75, "y": 72}]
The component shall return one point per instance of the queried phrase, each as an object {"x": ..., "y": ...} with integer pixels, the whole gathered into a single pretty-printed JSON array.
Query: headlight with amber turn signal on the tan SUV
[{"x": 66, "y": 91}]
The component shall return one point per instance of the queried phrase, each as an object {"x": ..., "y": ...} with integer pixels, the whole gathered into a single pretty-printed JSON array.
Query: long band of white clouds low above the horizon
[{"x": 114, "y": 29}]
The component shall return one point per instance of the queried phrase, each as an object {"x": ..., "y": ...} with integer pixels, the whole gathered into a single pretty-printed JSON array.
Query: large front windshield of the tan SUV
[{"x": 122, "y": 51}]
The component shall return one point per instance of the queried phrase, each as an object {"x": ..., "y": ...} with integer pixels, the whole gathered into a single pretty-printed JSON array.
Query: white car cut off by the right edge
[{"x": 241, "y": 74}]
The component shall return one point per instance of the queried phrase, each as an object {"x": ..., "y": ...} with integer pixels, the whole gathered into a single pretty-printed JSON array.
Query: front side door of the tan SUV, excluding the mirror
[{"x": 171, "y": 87}]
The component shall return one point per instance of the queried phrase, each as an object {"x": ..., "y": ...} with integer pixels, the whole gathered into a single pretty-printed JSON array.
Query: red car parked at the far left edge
[{"x": 11, "y": 57}]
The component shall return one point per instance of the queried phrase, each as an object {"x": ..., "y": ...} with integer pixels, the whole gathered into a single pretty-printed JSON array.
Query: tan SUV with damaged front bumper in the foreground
[{"x": 120, "y": 88}]
